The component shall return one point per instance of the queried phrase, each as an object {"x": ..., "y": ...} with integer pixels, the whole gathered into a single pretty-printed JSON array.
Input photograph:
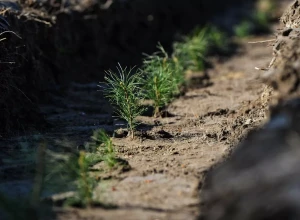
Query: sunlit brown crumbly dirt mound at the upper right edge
[{"x": 284, "y": 74}]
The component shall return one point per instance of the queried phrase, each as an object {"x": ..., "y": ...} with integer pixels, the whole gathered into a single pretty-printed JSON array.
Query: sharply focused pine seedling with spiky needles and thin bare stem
[{"x": 123, "y": 90}]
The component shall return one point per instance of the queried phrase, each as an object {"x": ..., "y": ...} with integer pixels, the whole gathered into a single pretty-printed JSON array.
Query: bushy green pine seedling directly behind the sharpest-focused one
[{"x": 161, "y": 80}]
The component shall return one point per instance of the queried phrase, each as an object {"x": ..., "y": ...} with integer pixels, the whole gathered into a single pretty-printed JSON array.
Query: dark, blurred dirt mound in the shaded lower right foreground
[{"x": 261, "y": 178}]
